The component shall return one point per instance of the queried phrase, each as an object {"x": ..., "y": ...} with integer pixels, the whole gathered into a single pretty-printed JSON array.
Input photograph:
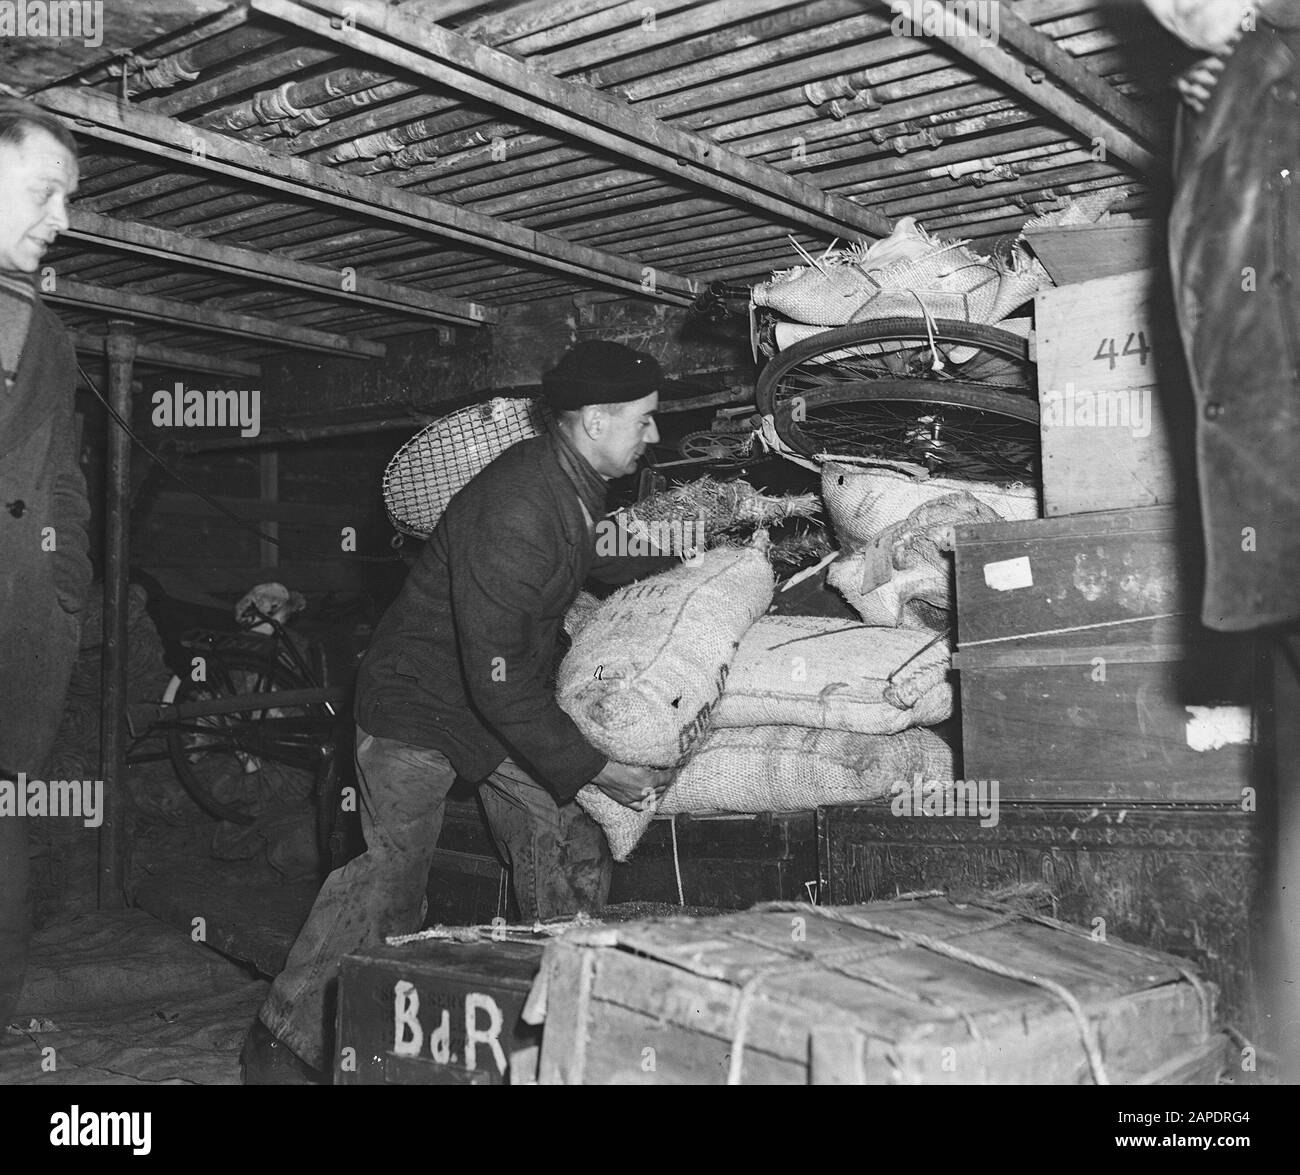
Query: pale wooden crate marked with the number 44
[{"x": 1117, "y": 422}]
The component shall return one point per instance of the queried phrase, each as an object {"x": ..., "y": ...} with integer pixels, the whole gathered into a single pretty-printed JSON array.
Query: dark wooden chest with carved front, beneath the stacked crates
[{"x": 1182, "y": 881}]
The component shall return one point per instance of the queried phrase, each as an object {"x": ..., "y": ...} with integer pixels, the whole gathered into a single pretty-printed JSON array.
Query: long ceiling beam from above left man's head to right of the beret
[{"x": 174, "y": 142}]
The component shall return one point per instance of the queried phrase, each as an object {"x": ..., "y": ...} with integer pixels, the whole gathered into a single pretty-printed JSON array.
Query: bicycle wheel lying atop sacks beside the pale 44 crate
[{"x": 956, "y": 398}]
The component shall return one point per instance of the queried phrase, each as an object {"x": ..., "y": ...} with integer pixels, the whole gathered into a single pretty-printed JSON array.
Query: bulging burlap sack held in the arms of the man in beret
[{"x": 648, "y": 669}]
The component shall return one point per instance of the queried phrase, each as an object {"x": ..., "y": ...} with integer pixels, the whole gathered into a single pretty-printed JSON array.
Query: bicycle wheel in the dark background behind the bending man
[{"x": 232, "y": 764}]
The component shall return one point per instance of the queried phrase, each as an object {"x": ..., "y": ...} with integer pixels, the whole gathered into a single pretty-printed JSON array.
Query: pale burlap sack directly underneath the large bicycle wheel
[{"x": 866, "y": 500}]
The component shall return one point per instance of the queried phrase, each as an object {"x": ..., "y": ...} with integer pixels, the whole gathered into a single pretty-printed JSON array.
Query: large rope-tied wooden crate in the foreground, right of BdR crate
[{"x": 895, "y": 992}]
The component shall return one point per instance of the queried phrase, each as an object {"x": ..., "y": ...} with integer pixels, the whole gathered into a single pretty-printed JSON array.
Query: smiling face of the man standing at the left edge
[{"x": 37, "y": 179}]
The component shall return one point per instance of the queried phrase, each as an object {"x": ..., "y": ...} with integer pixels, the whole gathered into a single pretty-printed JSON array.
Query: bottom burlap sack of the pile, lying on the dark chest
[{"x": 791, "y": 769}]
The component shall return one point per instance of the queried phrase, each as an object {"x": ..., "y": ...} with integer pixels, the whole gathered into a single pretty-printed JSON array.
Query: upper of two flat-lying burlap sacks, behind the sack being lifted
[{"x": 813, "y": 671}]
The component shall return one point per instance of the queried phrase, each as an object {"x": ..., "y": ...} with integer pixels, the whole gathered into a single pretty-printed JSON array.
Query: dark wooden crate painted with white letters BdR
[{"x": 435, "y": 1014}]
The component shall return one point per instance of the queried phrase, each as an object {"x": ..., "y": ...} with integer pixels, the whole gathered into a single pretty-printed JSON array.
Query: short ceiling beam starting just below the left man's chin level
[{"x": 125, "y": 305}]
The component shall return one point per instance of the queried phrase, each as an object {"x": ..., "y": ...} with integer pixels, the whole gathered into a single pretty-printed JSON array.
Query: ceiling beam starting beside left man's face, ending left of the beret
[{"x": 262, "y": 267}]
